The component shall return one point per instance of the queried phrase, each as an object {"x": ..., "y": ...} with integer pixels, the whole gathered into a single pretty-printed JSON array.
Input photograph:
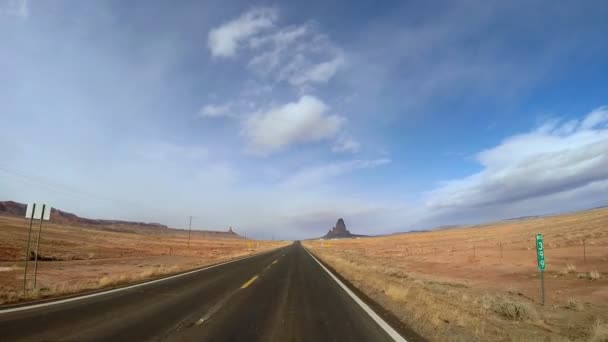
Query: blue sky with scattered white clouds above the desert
[{"x": 278, "y": 118}]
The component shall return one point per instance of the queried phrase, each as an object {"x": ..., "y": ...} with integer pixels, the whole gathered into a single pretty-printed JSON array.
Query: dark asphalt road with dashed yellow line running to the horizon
[{"x": 284, "y": 295}]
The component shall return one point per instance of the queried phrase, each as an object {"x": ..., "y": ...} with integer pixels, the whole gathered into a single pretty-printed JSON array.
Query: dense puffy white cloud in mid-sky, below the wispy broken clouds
[{"x": 297, "y": 122}]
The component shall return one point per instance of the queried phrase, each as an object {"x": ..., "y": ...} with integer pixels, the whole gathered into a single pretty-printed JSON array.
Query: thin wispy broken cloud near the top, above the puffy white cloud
[{"x": 298, "y": 54}]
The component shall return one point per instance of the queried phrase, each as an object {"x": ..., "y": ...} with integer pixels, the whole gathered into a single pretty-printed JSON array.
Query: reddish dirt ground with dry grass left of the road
[{"x": 82, "y": 259}]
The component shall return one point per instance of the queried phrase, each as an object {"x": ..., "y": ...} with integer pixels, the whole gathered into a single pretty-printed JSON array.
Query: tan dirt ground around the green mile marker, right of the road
[{"x": 482, "y": 282}]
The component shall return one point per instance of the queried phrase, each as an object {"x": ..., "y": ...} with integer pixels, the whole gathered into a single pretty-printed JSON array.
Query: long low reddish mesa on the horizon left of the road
[{"x": 11, "y": 208}]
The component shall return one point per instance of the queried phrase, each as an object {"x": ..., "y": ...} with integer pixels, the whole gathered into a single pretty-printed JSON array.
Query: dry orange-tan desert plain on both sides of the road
[{"x": 468, "y": 283}]
